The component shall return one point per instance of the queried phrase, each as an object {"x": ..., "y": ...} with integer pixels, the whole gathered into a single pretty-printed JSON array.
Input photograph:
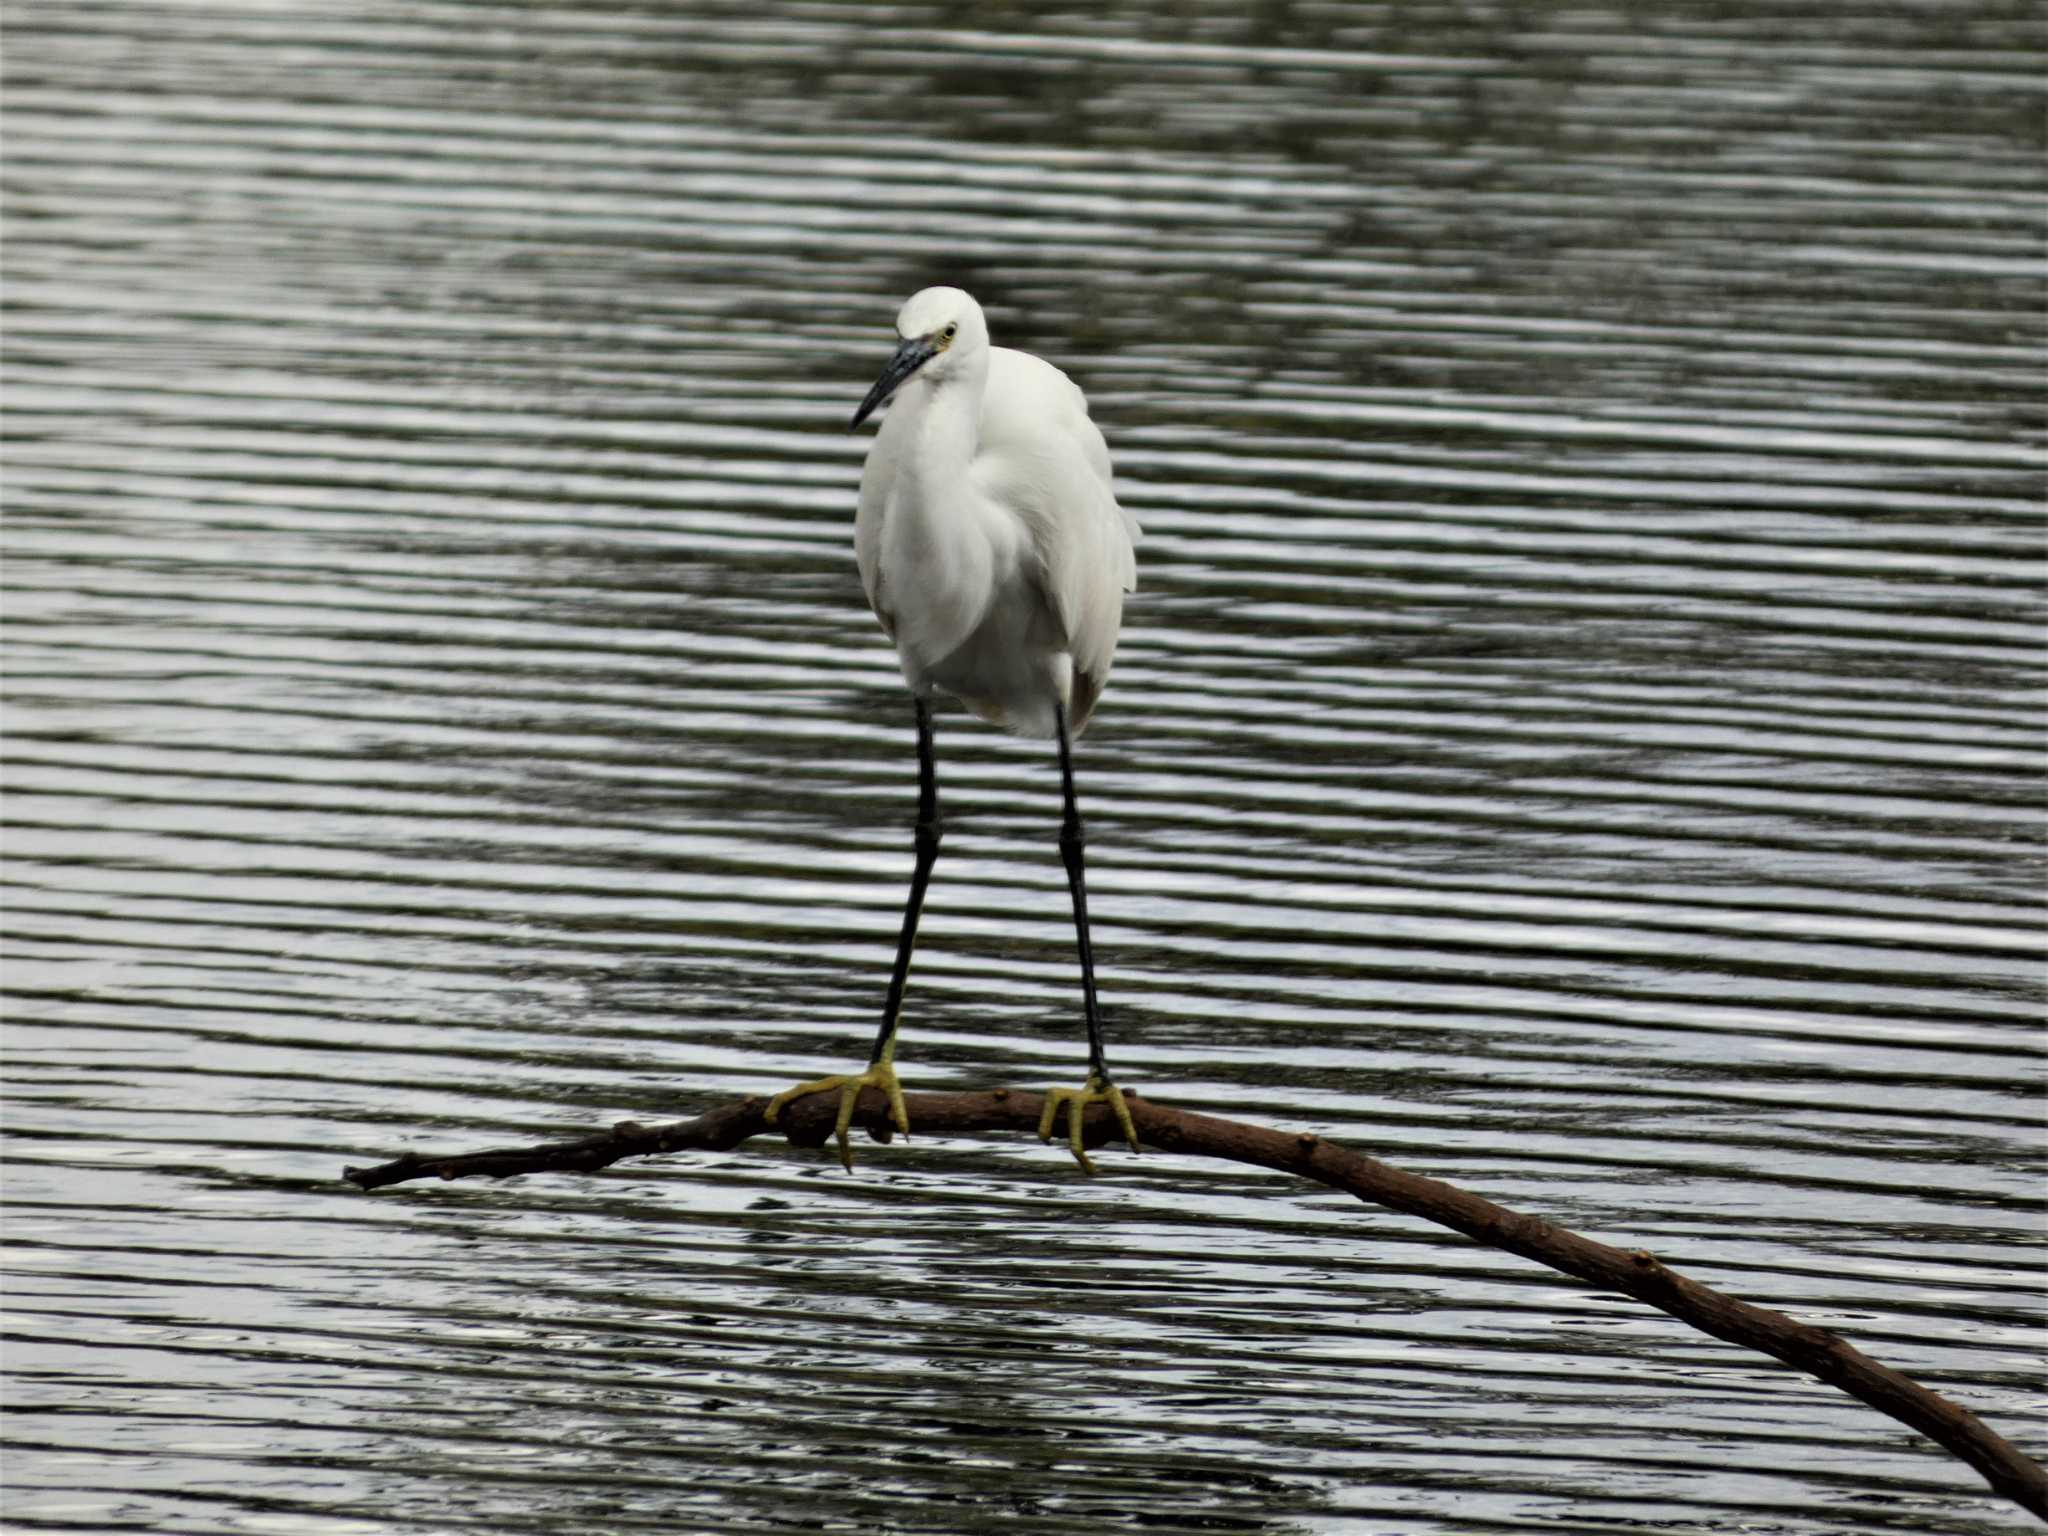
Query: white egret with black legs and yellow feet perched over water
[{"x": 996, "y": 558}]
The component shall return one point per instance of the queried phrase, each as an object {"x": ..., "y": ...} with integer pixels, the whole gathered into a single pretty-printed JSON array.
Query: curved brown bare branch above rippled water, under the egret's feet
[{"x": 1633, "y": 1273}]
